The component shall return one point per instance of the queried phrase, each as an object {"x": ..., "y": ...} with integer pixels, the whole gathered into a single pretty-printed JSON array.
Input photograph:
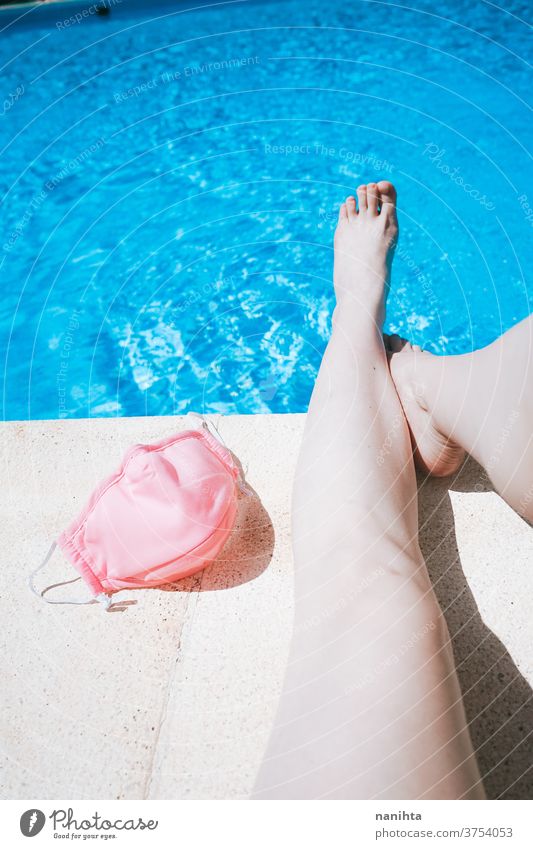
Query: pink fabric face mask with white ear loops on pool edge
[{"x": 165, "y": 514}]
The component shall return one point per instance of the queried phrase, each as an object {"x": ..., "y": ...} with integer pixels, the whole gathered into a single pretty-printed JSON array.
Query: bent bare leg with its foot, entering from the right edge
[{"x": 480, "y": 402}]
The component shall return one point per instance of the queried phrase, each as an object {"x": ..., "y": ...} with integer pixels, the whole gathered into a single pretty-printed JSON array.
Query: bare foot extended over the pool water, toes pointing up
[{"x": 365, "y": 239}]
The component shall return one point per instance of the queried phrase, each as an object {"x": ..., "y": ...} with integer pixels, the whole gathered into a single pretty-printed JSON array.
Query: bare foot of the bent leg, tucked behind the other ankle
[{"x": 434, "y": 453}]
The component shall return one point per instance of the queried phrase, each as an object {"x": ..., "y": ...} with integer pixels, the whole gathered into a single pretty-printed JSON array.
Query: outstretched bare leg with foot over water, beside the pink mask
[{"x": 371, "y": 706}]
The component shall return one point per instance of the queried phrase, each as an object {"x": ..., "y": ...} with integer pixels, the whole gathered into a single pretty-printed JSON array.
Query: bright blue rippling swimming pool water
[{"x": 170, "y": 181}]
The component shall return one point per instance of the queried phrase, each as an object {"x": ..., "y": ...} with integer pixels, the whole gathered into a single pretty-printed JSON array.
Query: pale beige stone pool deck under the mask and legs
[{"x": 174, "y": 697}]
